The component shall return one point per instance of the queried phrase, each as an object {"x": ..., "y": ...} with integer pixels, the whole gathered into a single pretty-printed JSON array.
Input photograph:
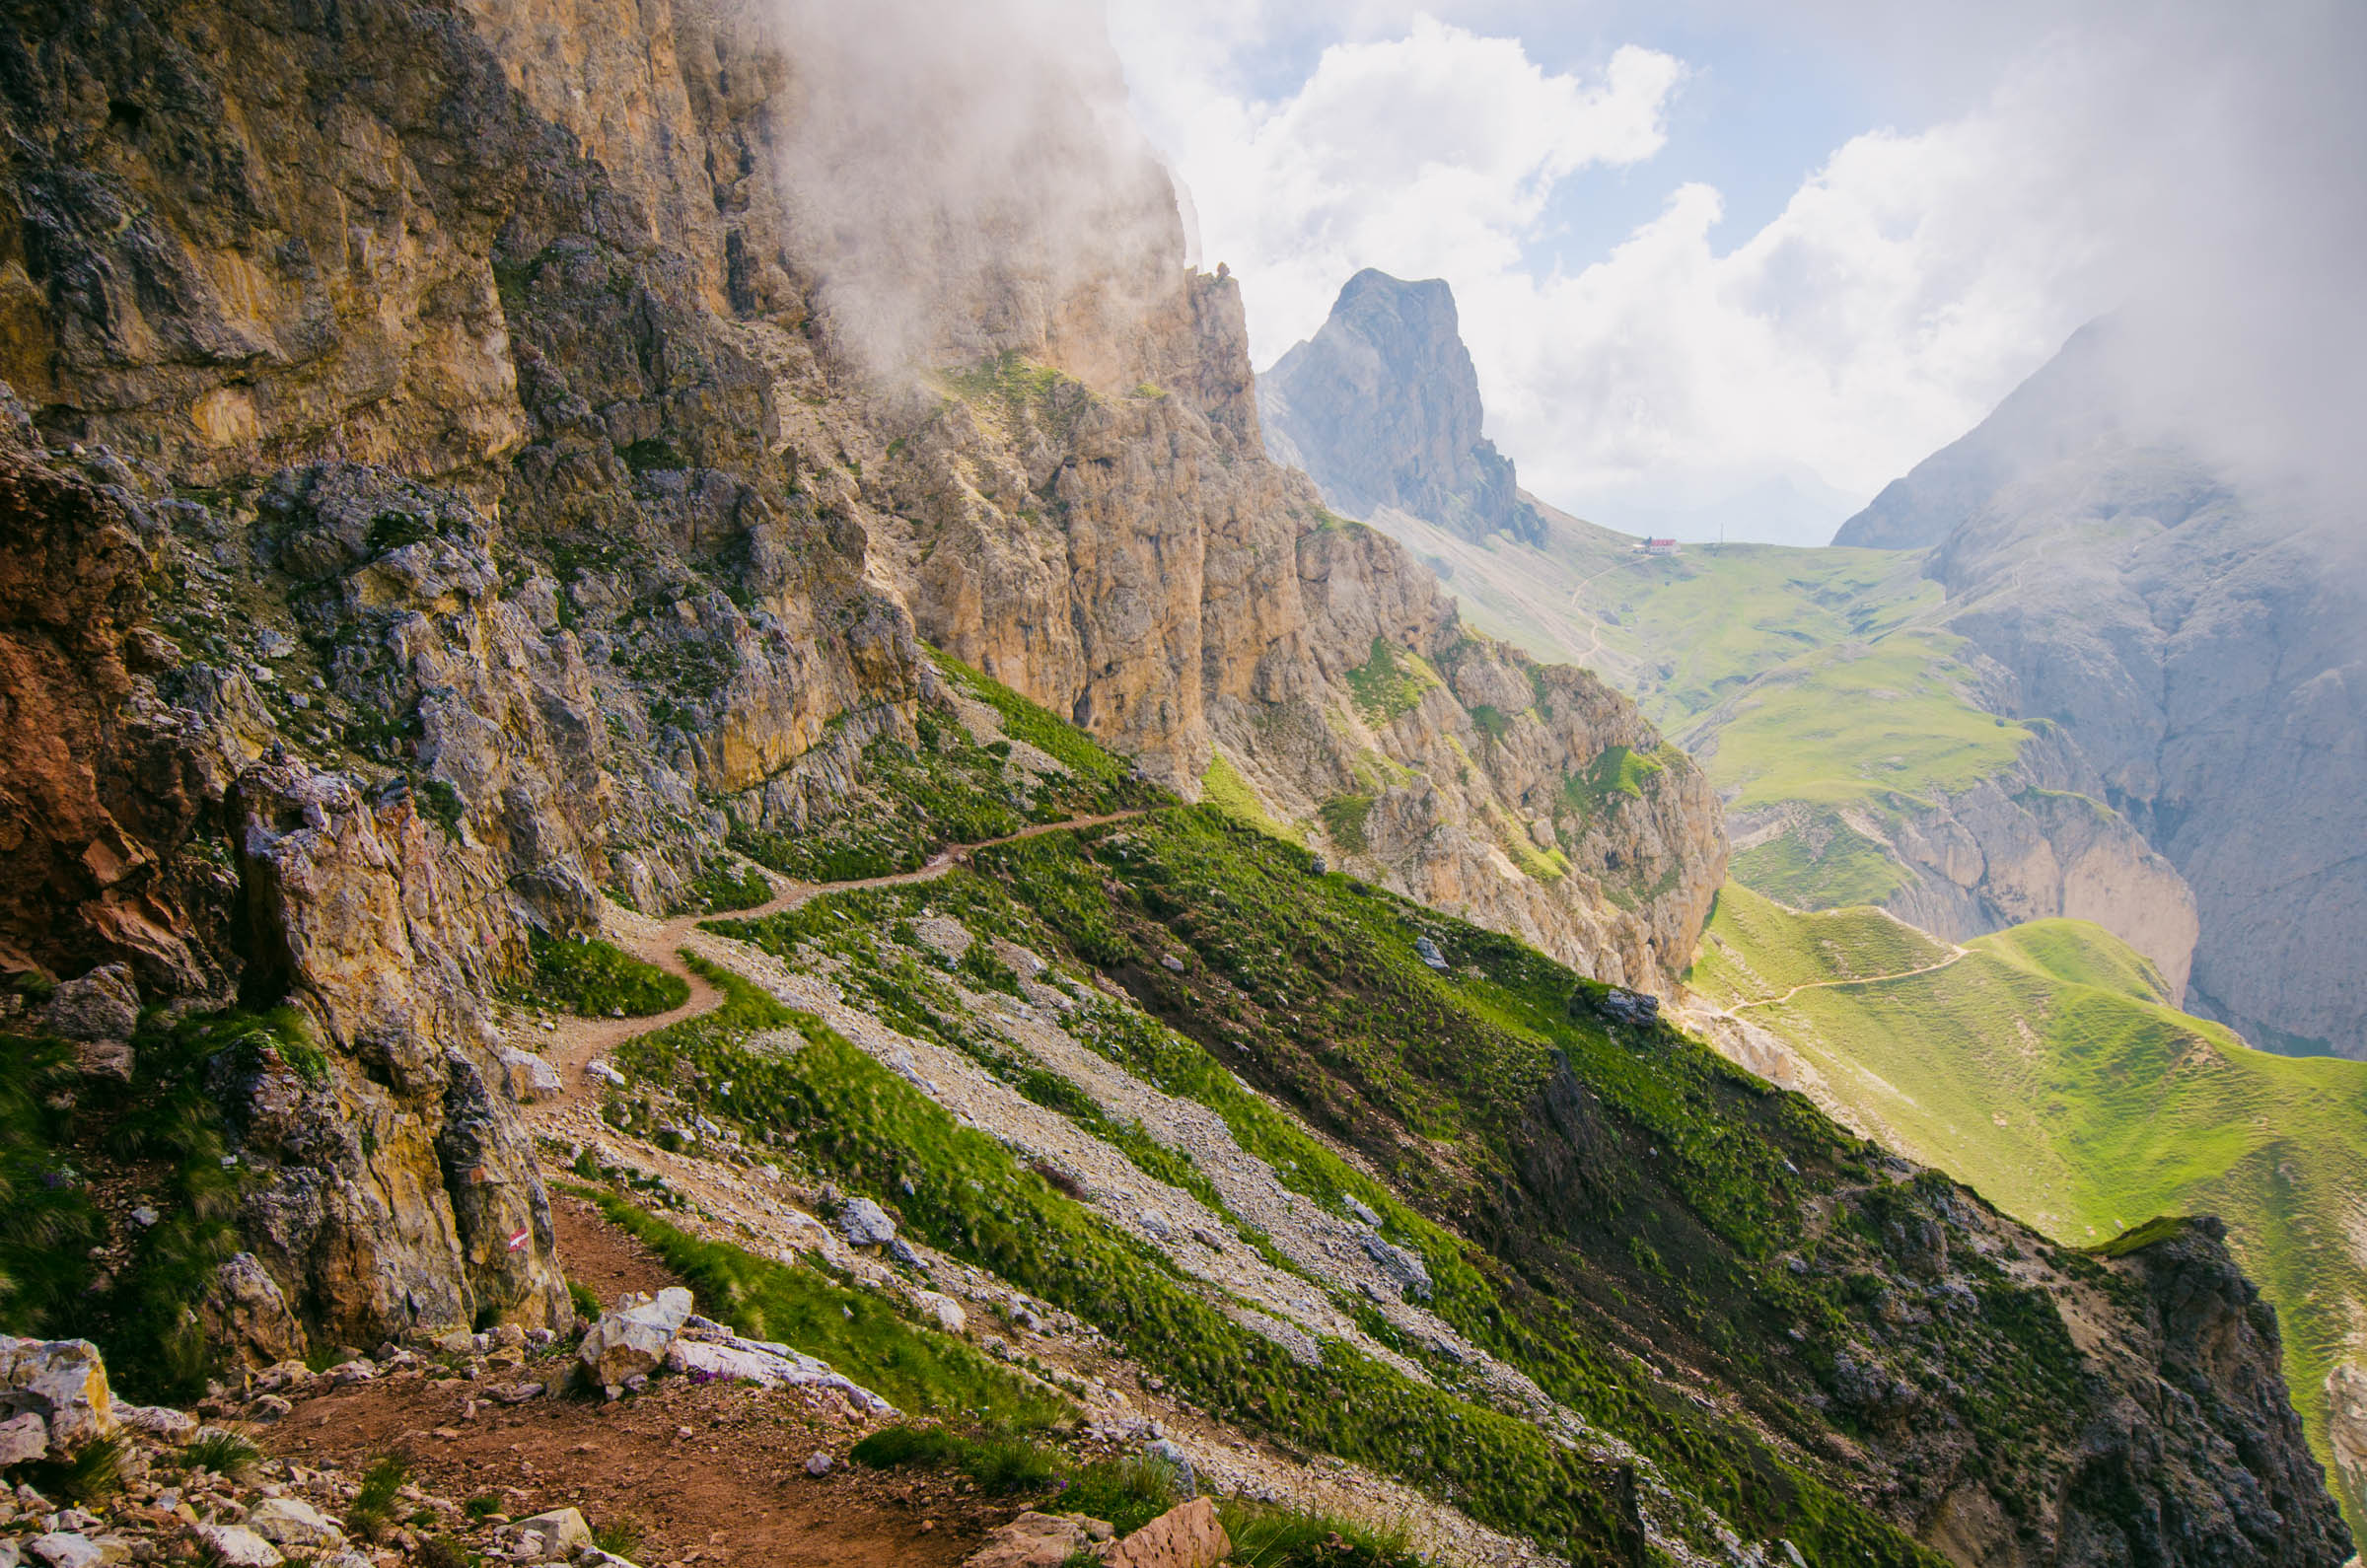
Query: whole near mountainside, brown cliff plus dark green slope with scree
[{"x": 482, "y": 477}]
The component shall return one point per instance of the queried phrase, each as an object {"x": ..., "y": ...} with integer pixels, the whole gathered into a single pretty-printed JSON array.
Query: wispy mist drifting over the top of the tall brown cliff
[{"x": 967, "y": 179}]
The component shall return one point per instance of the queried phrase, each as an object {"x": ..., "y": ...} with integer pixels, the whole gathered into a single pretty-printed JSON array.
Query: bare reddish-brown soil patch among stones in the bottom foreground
[{"x": 711, "y": 1474}]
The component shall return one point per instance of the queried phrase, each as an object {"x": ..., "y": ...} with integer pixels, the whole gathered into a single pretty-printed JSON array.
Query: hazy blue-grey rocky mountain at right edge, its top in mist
[{"x": 2200, "y": 643}]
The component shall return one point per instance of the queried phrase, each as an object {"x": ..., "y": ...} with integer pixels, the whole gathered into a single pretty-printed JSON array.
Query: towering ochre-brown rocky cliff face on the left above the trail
[{"x": 475, "y": 465}]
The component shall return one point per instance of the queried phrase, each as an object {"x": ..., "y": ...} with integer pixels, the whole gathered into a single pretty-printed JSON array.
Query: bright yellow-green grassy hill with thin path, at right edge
[{"x": 2049, "y": 1069}]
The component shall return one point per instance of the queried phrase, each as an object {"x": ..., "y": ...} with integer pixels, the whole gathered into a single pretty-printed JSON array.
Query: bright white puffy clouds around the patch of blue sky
[{"x": 1897, "y": 297}]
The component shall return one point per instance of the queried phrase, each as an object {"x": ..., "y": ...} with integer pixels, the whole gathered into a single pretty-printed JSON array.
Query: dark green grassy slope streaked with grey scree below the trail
[{"x": 1611, "y": 1209}]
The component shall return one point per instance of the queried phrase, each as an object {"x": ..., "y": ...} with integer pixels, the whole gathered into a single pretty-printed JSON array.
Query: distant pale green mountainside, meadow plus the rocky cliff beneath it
[{"x": 1862, "y": 747}]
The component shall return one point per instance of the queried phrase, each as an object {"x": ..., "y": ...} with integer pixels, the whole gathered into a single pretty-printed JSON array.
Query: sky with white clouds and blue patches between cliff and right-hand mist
[{"x": 1717, "y": 266}]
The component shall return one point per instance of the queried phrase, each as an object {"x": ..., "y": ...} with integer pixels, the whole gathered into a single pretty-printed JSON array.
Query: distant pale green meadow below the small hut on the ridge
[{"x": 1800, "y": 679}]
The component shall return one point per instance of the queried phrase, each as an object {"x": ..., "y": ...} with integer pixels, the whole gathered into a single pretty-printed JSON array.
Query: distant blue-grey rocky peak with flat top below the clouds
[{"x": 1384, "y": 411}]
